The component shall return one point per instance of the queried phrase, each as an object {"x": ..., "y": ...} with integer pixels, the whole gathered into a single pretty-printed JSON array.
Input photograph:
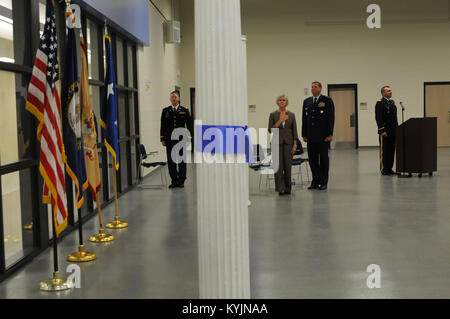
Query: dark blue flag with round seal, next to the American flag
[{"x": 71, "y": 113}]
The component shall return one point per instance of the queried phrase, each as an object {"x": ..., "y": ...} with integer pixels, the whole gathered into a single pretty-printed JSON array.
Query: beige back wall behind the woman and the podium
[{"x": 291, "y": 43}]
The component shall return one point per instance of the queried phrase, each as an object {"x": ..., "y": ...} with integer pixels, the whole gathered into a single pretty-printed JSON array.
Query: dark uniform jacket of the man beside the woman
[{"x": 318, "y": 120}]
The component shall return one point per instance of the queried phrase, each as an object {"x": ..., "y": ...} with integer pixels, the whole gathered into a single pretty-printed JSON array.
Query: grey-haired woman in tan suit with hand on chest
[{"x": 285, "y": 121}]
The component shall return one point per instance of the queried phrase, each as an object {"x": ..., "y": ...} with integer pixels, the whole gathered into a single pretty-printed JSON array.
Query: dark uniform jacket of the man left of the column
[{"x": 171, "y": 120}]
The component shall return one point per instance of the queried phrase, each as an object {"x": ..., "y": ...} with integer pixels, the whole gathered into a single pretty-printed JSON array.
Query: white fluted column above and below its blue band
[{"x": 222, "y": 189}]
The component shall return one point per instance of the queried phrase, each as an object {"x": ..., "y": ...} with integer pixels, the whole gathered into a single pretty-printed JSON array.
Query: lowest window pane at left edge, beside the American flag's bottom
[{"x": 17, "y": 215}]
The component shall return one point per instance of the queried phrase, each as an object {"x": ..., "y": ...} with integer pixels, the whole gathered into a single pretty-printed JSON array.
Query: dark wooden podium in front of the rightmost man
[{"x": 417, "y": 146}]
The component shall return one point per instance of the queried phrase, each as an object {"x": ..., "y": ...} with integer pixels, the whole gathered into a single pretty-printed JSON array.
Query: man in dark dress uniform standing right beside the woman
[{"x": 317, "y": 131}]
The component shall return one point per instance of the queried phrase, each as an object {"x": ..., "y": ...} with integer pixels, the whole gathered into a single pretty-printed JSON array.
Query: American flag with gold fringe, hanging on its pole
[{"x": 43, "y": 102}]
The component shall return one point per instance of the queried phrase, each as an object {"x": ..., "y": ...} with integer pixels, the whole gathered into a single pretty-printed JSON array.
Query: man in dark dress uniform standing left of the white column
[{"x": 172, "y": 117}]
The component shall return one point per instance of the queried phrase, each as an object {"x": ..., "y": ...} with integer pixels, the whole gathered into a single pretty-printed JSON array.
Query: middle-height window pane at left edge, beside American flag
[{"x": 16, "y": 131}]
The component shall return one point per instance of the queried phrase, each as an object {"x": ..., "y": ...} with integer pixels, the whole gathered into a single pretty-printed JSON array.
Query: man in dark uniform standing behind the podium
[{"x": 386, "y": 117}]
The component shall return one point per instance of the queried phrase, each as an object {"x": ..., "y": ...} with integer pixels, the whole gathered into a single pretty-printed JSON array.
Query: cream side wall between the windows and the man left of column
[{"x": 159, "y": 65}]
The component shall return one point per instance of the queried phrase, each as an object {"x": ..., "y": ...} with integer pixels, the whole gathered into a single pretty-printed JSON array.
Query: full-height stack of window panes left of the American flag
[{"x": 18, "y": 182}]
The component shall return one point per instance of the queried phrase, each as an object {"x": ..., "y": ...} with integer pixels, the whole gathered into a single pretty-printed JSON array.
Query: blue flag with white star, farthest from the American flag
[{"x": 108, "y": 116}]
